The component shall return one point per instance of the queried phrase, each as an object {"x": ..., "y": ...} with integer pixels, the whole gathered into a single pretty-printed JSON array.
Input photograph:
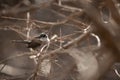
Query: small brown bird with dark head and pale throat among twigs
[{"x": 36, "y": 42}]
